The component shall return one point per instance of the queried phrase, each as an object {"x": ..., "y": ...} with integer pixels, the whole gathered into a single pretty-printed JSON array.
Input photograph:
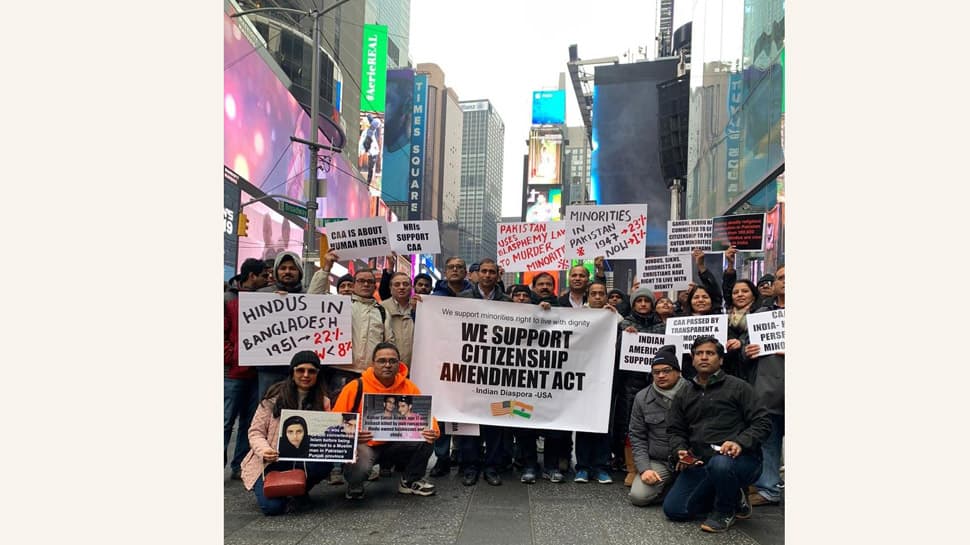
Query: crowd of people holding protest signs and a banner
[{"x": 700, "y": 435}]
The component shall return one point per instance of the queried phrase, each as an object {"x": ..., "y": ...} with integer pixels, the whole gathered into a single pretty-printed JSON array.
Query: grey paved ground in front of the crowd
[{"x": 513, "y": 514}]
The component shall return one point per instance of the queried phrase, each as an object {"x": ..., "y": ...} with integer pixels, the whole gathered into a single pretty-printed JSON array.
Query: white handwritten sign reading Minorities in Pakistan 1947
[{"x": 616, "y": 231}]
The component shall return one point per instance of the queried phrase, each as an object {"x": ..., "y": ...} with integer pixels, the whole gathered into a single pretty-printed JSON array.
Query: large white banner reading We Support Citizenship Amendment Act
[{"x": 512, "y": 364}]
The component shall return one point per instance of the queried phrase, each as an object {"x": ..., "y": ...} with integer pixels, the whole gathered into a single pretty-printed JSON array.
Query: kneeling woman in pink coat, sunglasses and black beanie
[{"x": 300, "y": 391}]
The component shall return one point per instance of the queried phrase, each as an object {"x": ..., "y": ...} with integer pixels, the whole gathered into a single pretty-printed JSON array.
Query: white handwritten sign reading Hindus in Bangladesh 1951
[{"x": 273, "y": 327}]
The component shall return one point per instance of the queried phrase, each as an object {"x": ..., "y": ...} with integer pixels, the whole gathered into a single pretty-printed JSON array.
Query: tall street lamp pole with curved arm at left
[{"x": 309, "y": 239}]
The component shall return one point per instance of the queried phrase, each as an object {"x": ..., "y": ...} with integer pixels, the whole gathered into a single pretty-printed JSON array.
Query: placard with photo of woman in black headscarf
[{"x": 317, "y": 436}]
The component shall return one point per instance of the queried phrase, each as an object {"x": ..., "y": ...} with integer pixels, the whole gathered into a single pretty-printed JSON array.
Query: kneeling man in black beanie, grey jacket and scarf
[{"x": 648, "y": 428}]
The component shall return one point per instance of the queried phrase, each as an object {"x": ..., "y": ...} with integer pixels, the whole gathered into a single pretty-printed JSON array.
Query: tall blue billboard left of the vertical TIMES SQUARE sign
[{"x": 397, "y": 135}]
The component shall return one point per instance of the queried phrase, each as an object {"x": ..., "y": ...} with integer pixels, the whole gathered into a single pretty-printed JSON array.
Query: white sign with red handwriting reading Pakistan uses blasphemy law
[{"x": 525, "y": 247}]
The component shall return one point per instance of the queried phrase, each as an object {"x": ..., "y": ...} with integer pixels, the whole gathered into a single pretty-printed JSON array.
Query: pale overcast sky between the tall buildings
[{"x": 504, "y": 50}]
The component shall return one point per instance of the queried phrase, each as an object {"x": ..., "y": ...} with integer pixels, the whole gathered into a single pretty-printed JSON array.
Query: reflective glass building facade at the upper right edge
[{"x": 736, "y": 157}]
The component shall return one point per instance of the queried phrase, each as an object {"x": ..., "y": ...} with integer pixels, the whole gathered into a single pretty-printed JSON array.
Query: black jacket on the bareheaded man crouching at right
[{"x": 724, "y": 410}]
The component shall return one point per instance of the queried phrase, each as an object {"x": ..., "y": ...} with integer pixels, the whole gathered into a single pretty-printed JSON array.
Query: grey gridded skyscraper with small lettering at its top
[{"x": 483, "y": 142}]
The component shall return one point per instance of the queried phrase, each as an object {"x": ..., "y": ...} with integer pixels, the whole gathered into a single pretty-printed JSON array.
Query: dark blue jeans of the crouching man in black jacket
[{"x": 716, "y": 484}]
